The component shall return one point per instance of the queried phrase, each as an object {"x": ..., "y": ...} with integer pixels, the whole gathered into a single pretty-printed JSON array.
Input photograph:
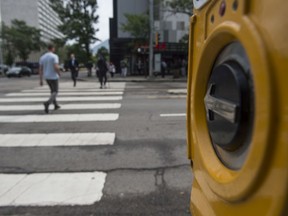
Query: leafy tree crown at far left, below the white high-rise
[{"x": 19, "y": 39}]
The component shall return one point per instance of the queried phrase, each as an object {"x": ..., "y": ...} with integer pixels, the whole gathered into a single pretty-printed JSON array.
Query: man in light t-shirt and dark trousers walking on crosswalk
[{"x": 49, "y": 68}]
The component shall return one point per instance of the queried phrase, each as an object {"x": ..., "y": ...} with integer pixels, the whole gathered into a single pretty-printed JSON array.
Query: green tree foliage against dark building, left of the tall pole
[{"x": 137, "y": 25}]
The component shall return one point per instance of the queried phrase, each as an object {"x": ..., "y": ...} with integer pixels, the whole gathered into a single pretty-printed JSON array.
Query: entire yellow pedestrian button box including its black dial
[{"x": 237, "y": 107}]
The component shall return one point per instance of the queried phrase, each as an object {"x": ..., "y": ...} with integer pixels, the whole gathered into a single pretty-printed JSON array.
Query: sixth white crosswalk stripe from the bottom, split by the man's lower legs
[{"x": 23, "y": 94}]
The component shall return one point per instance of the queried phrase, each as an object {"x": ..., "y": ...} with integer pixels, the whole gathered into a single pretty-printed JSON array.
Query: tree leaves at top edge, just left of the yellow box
[{"x": 181, "y": 6}]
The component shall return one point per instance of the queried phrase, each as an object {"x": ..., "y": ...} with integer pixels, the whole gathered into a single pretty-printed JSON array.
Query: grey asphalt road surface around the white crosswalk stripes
[{"x": 146, "y": 168}]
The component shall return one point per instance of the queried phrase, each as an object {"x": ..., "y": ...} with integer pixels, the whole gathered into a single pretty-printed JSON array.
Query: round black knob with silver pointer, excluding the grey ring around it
[{"x": 225, "y": 101}]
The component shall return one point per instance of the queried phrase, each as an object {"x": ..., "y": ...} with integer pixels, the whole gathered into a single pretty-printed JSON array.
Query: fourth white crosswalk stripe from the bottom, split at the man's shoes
[{"x": 63, "y": 107}]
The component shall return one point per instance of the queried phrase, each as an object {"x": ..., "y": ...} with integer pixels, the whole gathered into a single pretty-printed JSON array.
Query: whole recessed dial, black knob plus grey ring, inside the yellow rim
[{"x": 229, "y": 104}]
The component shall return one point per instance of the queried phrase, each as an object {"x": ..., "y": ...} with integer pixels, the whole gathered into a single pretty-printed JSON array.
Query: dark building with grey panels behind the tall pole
[{"x": 171, "y": 28}]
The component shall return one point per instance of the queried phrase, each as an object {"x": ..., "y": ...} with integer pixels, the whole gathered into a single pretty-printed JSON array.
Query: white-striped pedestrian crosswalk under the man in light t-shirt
[{"x": 82, "y": 104}]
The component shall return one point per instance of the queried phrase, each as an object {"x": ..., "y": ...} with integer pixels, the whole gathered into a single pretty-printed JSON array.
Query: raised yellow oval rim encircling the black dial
[{"x": 228, "y": 184}]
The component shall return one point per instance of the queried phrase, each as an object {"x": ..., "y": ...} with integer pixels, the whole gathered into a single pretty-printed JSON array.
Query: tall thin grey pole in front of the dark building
[{"x": 151, "y": 15}]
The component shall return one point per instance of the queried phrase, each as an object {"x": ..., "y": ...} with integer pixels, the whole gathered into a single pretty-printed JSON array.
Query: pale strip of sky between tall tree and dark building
[{"x": 105, "y": 11}]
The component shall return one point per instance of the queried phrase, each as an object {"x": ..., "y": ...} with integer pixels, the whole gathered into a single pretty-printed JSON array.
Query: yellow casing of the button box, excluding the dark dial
[{"x": 260, "y": 187}]
